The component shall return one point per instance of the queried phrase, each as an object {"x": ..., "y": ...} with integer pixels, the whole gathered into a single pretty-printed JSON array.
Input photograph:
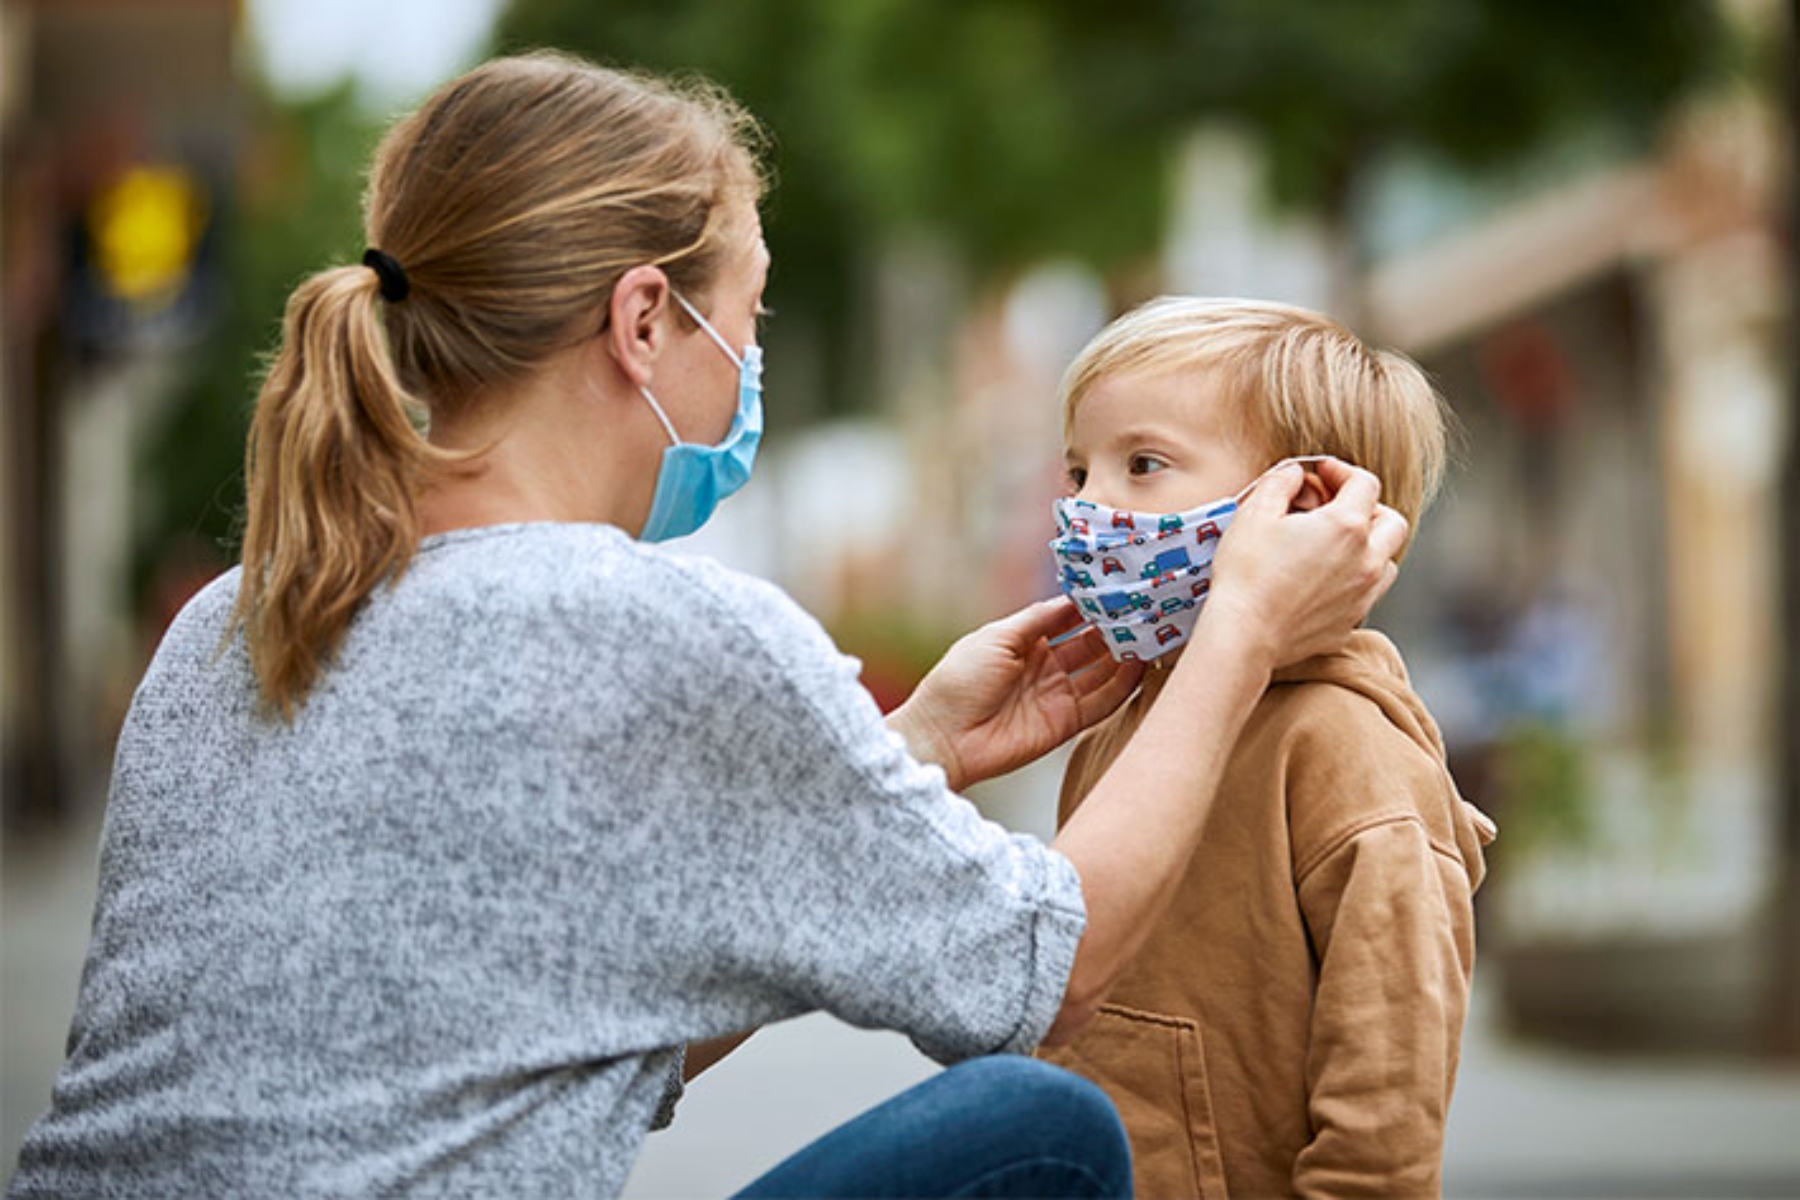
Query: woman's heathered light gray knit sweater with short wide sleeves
[{"x": 564, "y": 803}]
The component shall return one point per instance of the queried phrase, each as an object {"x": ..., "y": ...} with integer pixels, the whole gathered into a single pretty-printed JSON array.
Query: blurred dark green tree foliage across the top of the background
[{"x": 1041, "y": 129}]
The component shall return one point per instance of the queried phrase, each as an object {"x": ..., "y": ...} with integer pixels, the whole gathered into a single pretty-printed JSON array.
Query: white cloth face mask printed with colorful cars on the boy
[{"x": 1142, "y": 578}]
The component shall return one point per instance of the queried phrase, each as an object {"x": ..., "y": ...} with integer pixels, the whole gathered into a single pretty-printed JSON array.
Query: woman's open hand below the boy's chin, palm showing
[{"x": 1011, "y": 692}]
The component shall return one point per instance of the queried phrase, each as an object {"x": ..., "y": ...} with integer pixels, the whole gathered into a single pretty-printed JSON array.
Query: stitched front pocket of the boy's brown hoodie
[{"x": 1155, "y": 1070}]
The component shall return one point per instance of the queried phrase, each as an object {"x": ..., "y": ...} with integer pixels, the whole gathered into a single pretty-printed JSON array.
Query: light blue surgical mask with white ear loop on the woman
[{"x": 694, "y": 479}]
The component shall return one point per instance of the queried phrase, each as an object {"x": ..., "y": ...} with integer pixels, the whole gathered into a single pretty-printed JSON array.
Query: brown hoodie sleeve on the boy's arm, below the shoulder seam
[{"x": 1390, "y": 918}]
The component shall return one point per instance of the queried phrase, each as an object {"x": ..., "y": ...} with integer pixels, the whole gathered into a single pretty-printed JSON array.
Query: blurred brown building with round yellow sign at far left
[{"x": 116, "y": 148}]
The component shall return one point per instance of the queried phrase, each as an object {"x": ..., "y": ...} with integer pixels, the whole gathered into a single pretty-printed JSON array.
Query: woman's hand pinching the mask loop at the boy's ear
[{"x": 1297, "y": 584}]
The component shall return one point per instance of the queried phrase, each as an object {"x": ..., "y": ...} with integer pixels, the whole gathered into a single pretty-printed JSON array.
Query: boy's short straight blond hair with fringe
[{"x": 1299, "y": 382}]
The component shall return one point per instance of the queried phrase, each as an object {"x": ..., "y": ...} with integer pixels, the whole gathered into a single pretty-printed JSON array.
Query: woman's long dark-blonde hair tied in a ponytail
[{"x": 514, "y": 201}]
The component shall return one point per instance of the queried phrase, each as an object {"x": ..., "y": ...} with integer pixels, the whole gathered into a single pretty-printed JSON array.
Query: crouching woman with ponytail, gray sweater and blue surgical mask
[{"x": 456, "y": 818}]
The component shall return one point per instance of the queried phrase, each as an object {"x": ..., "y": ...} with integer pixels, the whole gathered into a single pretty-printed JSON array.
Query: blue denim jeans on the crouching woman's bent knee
[{"x": 989, "y": 1127}]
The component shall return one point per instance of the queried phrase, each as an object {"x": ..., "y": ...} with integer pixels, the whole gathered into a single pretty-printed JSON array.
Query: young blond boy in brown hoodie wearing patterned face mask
[{"x": 1293, "y": 1023}]
